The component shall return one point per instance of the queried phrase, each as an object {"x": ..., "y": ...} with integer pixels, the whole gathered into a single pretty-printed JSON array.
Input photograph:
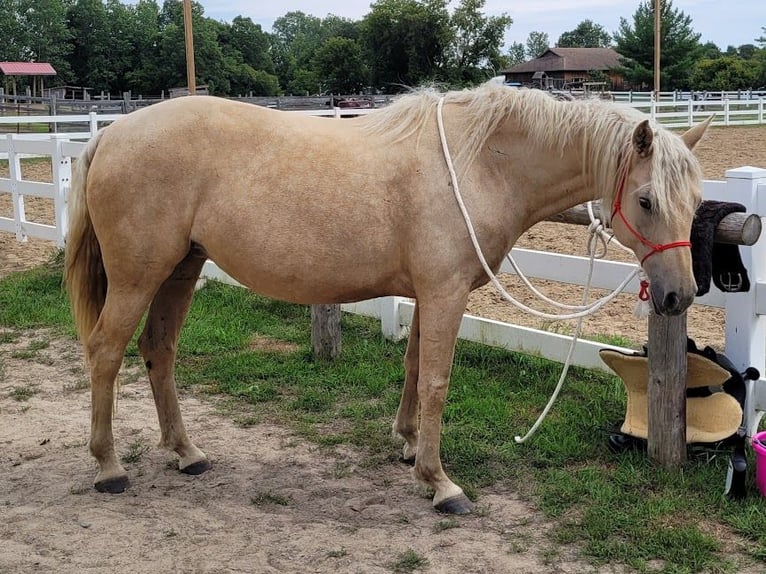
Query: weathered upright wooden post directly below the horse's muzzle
[{"x": 666, "y": 442}]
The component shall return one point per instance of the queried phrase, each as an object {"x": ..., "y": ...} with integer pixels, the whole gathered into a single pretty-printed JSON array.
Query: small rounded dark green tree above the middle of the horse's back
[{"x": 340, "y": 64}]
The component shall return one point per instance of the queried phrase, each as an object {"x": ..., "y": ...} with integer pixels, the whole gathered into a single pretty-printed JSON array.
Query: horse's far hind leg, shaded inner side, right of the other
[{"x": 158, "y": 344}]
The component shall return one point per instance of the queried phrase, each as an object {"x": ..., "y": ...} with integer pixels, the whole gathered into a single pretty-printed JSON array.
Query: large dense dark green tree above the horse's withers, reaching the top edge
[{"x": 405, "y": 42}]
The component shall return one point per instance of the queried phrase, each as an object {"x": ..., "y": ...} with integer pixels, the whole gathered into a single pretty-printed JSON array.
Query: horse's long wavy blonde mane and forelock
[{"x": 602, "y": 129}]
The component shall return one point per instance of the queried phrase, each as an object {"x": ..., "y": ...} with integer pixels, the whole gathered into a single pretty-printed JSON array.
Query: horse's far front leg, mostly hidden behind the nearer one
[{"x": 406, "y": 423}]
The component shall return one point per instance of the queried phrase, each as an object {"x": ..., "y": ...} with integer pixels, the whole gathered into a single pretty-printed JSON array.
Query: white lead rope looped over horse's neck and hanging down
[{"x": 583, "y": 310}]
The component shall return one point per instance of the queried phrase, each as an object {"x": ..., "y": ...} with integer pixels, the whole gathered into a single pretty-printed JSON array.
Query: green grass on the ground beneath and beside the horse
[{"x": 619, "y": 510}]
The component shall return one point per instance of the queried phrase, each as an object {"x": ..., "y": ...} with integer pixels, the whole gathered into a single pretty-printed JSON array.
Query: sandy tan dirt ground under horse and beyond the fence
[{"x": 272, "y": 502}]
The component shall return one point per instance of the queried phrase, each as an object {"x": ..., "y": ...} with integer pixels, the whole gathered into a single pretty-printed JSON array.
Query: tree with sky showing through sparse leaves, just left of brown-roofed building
[{"x": 474, "y": 51}]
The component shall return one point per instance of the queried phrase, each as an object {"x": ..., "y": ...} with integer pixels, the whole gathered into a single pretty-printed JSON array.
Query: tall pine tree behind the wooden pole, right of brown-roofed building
[{"x": 680, "y": 46}]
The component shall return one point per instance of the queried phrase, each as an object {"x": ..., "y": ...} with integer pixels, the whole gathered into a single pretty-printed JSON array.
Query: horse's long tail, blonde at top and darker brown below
[{"x": 84, "y": 273}]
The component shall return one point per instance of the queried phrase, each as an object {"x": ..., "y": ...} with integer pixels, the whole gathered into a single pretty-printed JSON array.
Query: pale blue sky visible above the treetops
[{"x": 723, "y": 22}]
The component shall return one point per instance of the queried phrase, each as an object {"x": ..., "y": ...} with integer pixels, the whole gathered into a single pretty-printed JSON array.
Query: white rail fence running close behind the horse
[{"x": 745, "y": 327}]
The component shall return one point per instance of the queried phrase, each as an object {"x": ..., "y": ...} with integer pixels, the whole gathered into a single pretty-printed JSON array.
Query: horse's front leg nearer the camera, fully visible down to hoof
[{"x": 439, "y": 323}]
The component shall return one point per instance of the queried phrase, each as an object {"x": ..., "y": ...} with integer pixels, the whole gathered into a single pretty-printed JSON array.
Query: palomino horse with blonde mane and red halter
[{"x": 313, "y": 210}]
